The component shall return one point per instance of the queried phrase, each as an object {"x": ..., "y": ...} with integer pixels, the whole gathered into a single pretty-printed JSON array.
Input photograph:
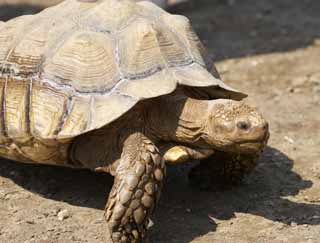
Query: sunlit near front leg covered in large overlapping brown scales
[{"x": 136, "y": 190}]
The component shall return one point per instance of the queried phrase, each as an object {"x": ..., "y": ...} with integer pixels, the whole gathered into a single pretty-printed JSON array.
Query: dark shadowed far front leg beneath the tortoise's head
[{"x": 222, "y": 169}]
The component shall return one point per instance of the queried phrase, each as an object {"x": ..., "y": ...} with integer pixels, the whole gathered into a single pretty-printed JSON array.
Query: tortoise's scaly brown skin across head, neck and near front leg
[{"x": 128, "y": 149}]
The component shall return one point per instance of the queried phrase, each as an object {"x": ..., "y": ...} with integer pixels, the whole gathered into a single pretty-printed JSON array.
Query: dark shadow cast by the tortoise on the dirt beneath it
[{"x": 182, "y": 208}]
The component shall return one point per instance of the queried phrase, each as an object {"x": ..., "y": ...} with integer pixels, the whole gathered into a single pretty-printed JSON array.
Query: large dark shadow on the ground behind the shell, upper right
[{"x": 250, "y": 27}]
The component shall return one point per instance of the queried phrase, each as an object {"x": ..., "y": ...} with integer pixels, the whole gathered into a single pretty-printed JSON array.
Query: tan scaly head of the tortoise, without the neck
[{"x": 235, "y": 126}]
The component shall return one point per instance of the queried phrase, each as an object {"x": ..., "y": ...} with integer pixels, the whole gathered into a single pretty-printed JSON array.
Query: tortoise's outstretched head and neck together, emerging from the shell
[{"x": 220, "y": 124}]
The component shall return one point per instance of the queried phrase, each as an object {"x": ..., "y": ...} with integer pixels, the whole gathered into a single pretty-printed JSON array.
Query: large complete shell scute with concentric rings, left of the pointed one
[{"x": 86, "y": 62}]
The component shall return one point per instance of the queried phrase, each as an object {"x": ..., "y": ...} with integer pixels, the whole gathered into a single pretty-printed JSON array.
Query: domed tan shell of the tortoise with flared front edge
[{"x": 78, "y": 66}]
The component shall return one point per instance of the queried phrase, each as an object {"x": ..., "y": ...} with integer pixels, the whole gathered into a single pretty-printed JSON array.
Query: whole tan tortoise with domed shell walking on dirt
[{"x": 123, "y": 88}]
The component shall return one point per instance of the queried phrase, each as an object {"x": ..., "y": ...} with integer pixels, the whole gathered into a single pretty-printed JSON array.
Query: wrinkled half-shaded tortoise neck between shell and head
[{"x": 177, "y": 118}]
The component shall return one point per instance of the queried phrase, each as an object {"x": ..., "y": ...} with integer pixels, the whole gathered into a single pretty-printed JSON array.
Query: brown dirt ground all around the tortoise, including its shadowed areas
[{"x": 271, "y": 50}]
